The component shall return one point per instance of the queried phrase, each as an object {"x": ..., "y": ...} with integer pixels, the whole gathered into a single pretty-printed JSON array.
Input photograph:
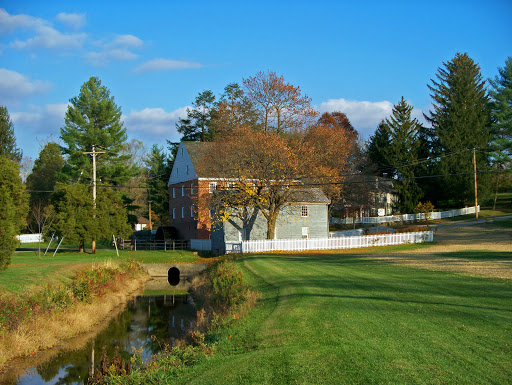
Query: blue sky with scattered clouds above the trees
[{"x": 357, "y": 57}]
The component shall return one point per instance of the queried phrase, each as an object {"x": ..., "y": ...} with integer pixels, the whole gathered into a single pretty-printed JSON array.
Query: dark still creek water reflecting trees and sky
[{"x": 165, "y": 316}]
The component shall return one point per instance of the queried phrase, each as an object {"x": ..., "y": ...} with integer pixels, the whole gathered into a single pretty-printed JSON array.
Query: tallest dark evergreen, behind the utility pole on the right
[{"x": 460, "y": 122}]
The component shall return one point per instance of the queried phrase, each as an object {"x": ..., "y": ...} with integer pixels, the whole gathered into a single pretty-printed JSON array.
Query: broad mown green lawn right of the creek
[{"x": 345, "y": 319}]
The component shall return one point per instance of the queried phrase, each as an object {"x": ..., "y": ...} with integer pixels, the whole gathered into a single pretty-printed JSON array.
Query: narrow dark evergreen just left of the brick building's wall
[{"x": 159, "y": 170}]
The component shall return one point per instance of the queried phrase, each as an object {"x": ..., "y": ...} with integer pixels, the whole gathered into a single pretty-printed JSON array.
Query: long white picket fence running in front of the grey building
[{"x": 328, "y": 243}]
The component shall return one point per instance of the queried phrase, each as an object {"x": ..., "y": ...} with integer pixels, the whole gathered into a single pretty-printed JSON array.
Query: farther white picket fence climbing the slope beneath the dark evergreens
[{"x": 405, "y": 217}]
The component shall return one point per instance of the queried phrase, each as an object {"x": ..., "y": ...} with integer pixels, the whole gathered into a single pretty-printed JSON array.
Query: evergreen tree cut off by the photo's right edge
[{"x": 501, "y": 109}]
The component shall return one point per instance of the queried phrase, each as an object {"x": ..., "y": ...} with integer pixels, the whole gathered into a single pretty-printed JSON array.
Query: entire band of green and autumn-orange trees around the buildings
[{"x": 266, "y": 135}]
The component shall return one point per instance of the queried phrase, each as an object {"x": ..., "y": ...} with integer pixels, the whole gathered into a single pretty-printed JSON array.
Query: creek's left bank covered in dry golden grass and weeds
[{"x": 84, "y": 306}]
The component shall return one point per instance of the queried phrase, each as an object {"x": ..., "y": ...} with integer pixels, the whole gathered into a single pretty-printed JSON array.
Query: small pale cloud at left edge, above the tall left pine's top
[{"x": 15, "y": 86}]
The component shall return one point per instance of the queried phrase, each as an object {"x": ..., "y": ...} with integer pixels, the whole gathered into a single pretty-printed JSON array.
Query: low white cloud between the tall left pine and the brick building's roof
[{"x": 154, "y": 124}]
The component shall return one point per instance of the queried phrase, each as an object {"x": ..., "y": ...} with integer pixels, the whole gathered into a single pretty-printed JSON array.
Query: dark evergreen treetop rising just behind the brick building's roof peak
[{"x": 197, "y": 126}]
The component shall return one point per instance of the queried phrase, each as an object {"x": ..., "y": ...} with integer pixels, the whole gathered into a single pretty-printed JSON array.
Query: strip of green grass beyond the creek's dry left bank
[{"x": 27, "y": 270}]
